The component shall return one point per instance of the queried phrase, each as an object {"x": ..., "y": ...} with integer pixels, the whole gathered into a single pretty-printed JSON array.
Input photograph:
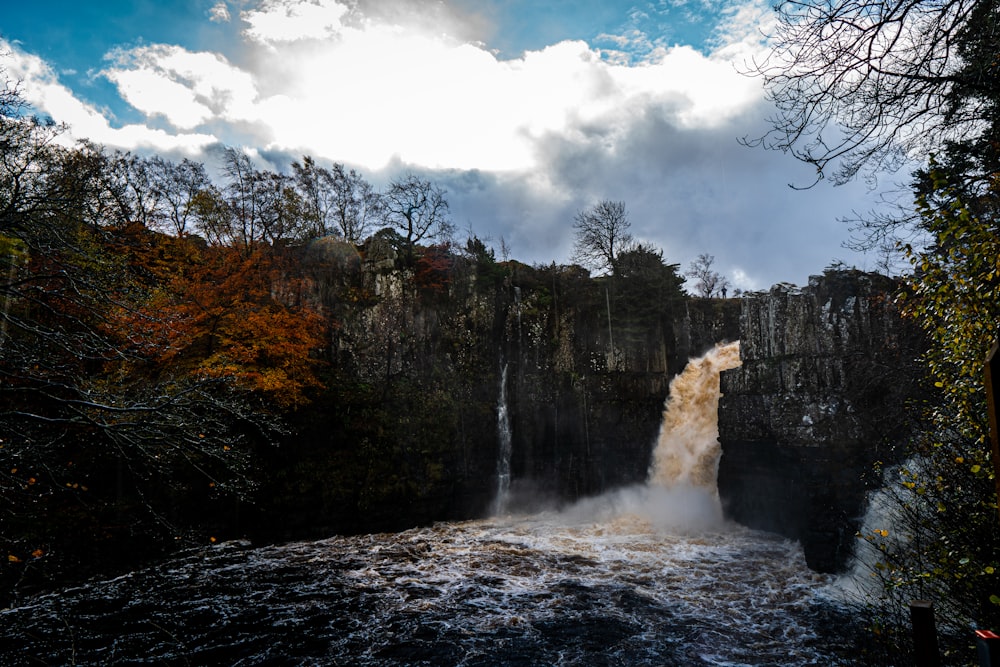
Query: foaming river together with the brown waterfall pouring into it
[{"x": 649, "y": 575}]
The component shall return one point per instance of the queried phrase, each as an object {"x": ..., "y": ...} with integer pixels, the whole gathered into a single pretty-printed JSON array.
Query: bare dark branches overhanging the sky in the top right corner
[{"x": 862, "y": 84}]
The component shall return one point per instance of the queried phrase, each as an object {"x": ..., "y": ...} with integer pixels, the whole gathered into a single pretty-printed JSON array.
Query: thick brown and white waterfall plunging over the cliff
[{"x": 687, "y": 450}]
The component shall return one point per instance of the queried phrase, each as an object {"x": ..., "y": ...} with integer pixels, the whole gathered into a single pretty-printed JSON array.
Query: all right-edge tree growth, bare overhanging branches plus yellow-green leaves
[{"x": 864, "y": 87}]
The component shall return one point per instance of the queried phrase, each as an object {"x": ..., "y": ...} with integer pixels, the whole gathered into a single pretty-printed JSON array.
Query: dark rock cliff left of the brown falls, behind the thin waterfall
[{"x": 407, "y": 430}]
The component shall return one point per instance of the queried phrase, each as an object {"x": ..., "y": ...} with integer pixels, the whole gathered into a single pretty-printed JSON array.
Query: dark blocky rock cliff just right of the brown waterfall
[{"x": 820, "y": 397}]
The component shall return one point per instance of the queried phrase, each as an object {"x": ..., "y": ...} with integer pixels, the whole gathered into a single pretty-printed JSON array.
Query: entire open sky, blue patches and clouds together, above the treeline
[{"x": 525, "y": 112}]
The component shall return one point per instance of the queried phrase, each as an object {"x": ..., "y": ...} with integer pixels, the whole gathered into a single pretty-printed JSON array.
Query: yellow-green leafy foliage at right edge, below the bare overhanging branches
[{"x": 939, "y": 536}]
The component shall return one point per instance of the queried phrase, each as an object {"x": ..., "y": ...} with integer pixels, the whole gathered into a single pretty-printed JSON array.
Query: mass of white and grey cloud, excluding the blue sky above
[{"x": 521, "y": 143}]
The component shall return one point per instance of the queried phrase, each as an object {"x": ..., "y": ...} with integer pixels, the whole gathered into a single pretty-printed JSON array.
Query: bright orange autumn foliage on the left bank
[{"x": 213, "y": 312}]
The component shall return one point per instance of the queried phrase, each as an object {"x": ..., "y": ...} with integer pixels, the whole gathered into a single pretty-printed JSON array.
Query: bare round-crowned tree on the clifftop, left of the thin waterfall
[{"x": 418, "y": 210}]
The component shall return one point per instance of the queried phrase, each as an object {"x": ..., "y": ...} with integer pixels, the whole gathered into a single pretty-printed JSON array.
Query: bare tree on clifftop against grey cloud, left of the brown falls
[{"x": 602, "y": 235}]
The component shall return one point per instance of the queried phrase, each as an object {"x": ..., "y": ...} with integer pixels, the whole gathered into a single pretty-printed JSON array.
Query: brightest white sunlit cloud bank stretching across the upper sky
[{"x": 368, "y": 92}]
